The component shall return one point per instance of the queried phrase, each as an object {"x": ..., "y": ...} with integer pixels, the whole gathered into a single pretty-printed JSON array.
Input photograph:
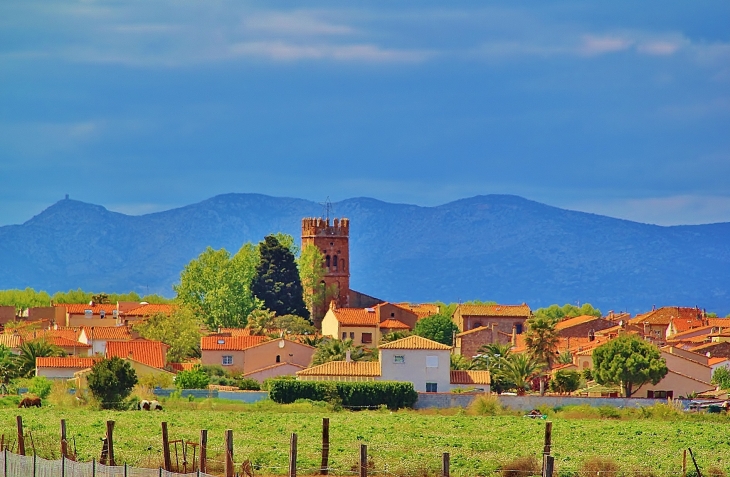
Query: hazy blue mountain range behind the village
[{"x": 496, "y": 247}]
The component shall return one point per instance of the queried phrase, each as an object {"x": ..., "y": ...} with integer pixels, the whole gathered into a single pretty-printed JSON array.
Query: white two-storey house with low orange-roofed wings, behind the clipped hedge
[{"x": 421, "y": 361}]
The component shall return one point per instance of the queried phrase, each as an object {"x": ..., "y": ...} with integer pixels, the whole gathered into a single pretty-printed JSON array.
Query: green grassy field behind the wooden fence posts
[{"x": 400, "y": 443}]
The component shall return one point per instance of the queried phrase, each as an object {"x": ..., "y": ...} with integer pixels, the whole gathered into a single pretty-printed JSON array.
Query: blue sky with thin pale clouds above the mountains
[{"x": 618, "y": 108}]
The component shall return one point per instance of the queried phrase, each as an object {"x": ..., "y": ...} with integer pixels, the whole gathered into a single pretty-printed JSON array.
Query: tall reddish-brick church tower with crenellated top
[{"x": 332, "y": 239}]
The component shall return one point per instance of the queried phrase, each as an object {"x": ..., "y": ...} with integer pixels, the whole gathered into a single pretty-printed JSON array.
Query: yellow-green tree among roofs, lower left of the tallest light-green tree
[{"x": 180, "y": 329}]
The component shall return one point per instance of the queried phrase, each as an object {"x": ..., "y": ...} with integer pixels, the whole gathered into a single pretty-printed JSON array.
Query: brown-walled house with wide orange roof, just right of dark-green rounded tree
[{"x": 504, "y": 317}]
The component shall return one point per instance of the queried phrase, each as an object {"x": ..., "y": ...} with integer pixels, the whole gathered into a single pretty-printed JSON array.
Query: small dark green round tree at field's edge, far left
[{"x": 111, "y": 381}]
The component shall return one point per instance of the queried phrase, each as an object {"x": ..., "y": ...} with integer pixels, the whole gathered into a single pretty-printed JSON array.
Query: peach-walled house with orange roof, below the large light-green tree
[{"x": 256, "y": 357}]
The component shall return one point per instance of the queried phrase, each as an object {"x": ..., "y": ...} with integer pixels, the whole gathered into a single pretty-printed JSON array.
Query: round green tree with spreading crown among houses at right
[{"x": 629, "y": 362}]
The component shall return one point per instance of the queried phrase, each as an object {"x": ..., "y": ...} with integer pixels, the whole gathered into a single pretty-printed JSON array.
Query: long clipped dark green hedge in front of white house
[{"x": 366, "y": 394}]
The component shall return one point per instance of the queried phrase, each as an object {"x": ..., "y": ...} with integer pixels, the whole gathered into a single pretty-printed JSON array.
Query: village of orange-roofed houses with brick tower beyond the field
[{"x": 379, "y": 341}]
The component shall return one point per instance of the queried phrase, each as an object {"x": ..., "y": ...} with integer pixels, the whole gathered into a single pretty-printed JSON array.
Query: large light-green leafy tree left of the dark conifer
[{"x": 217, "y": 287}]
